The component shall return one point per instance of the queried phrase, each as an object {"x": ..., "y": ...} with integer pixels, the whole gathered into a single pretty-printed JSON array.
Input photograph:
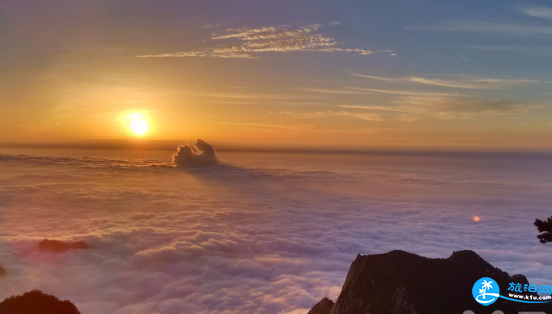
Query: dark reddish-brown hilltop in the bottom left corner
[{"x": 36, "y": 302}]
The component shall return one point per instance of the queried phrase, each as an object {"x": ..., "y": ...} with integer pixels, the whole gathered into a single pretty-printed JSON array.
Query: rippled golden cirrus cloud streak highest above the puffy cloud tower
[{"x": 250, "y": 42}]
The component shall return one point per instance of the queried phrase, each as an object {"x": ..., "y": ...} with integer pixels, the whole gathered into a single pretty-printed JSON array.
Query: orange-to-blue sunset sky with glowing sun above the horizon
[{"x": 359, "y": 73}]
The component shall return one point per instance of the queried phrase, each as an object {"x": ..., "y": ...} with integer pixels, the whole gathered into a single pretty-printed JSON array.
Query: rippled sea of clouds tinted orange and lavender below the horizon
[{"x": 256, "y": 233}]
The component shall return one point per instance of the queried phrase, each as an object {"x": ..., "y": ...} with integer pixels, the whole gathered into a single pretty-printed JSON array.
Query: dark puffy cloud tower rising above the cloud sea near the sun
[{"x": 199, "y": 154}]
